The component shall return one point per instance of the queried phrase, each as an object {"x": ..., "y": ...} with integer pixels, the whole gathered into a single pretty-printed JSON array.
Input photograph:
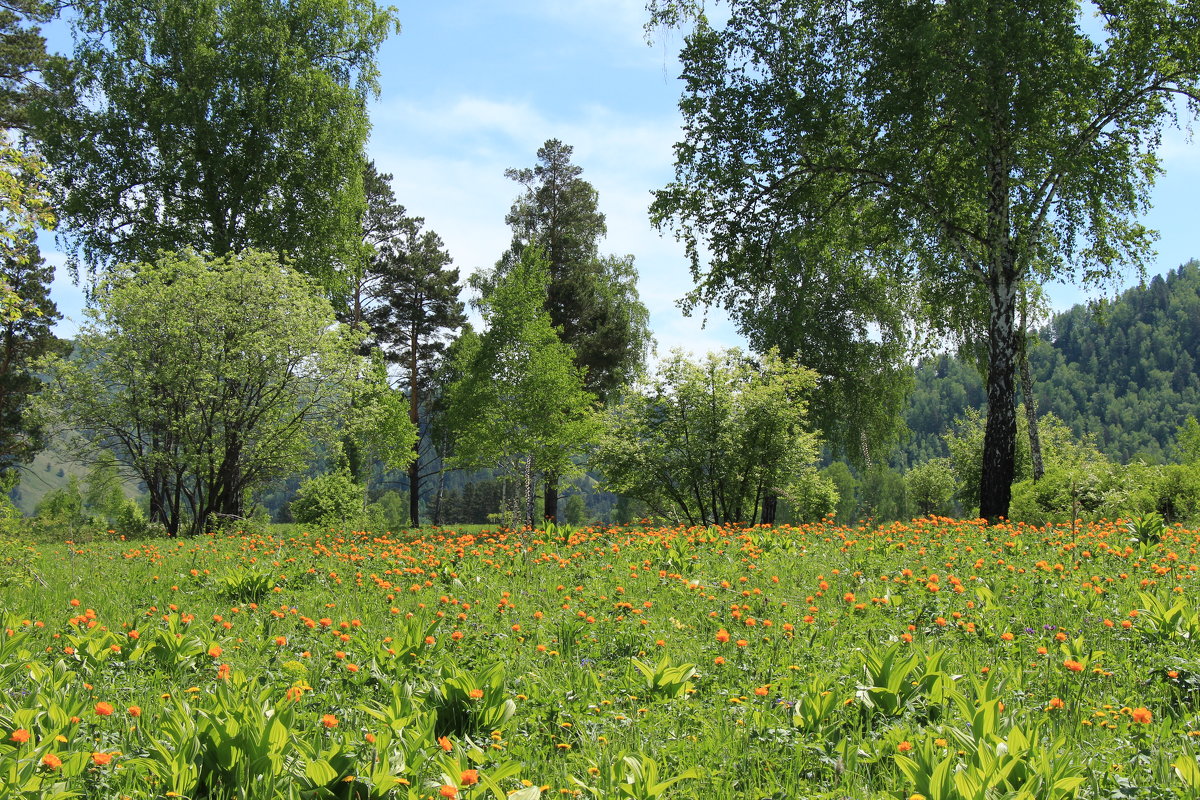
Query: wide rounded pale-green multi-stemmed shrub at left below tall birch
[{"x": 203, "y": 407}]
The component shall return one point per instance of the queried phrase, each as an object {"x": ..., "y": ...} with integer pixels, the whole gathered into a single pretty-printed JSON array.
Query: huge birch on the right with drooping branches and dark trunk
[{"x": 965, "y": 146}]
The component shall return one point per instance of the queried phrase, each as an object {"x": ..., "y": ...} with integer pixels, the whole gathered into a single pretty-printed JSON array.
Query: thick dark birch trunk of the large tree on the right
[{"x": 1000, "y": 437}]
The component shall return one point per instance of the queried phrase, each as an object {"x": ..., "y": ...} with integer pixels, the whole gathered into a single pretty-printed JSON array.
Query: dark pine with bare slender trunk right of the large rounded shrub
[{"x": 417, "y": 310}]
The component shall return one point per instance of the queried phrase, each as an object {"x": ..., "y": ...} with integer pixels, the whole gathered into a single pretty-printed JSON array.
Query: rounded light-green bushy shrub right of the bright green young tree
[{"x": 706, "y": 442}]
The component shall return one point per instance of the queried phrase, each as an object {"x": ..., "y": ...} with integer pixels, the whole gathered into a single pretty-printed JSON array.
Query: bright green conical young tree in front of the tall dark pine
[{"x": 519, "y": 401}]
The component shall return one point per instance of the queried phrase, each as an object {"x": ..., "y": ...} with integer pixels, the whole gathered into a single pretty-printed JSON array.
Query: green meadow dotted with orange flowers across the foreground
[{"x": 938, "y": 659}]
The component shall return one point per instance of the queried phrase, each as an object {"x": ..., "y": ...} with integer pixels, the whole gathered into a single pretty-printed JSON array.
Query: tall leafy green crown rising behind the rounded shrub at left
[{"x": 217, "y": 125}]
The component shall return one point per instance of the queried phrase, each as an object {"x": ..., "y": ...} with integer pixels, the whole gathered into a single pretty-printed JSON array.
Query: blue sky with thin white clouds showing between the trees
[{"x": 471, "y": 88}]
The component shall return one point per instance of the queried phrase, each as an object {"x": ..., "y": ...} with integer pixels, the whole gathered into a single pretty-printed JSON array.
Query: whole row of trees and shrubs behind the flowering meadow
[{"x": 853, "y": 182}]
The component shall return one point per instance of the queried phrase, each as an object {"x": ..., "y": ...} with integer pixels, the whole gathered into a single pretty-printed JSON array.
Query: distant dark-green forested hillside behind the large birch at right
[{"x": 1125, "y": 372}]
